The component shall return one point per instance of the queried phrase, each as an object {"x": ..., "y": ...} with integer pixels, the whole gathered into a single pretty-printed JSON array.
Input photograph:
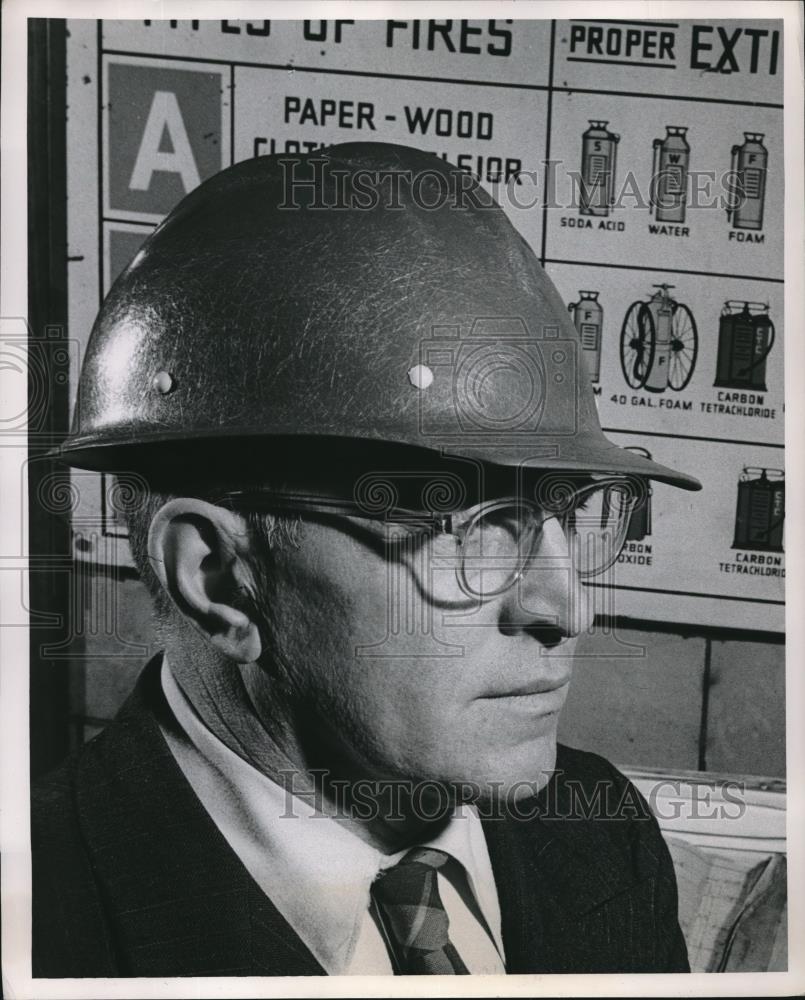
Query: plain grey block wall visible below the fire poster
[{"x": 641, "y": 697}]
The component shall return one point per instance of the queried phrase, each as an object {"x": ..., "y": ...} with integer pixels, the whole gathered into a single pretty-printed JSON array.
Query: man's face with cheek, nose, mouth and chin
[{"x": 384, "y": 682}]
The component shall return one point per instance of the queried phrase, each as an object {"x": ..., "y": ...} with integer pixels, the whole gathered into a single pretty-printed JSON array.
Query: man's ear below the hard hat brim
[{"x": 199, "y": 553}]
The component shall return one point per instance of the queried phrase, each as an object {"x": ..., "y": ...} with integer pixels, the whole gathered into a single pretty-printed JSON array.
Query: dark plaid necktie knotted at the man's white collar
[{"x": 413, "y": 917}]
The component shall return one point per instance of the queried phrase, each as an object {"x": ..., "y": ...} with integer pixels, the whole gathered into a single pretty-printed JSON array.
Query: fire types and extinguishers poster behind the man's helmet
[{"x": 642, "y": 161}]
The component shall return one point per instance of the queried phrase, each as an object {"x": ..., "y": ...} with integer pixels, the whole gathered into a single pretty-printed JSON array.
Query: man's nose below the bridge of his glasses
[{"x": 549, "y": 599}]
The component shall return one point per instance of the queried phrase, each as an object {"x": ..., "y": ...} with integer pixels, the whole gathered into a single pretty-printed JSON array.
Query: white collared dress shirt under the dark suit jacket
[{"x": 316, "y": 871}]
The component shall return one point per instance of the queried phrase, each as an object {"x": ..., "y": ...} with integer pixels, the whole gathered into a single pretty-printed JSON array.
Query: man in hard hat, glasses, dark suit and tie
[{"x": 365, "y": 481}]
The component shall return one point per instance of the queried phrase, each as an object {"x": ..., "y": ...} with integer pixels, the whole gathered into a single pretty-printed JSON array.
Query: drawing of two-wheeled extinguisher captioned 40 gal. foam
[{"x": 659, "y": 343}]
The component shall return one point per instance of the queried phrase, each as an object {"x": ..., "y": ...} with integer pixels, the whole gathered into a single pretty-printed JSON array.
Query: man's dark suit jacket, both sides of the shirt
[{"x": 132, "y": 878}]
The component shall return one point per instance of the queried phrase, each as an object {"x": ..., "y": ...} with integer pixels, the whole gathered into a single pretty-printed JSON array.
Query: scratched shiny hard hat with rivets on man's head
[{"x": 363, "y": 293}]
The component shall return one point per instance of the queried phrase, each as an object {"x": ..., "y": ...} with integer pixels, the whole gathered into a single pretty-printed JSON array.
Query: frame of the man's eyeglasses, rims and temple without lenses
[{"x": 443, "y": 522}]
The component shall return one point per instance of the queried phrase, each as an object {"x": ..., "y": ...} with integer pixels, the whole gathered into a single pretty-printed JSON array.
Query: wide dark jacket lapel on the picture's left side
[{"x": 180, "y": 900}]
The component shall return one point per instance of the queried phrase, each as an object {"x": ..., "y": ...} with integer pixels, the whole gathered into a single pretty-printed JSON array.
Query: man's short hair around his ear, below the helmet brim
[{"x": 139, "y": 504}]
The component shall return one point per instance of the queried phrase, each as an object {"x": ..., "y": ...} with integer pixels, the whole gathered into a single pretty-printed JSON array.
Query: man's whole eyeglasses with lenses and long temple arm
[{"x": 491, "y": 545}]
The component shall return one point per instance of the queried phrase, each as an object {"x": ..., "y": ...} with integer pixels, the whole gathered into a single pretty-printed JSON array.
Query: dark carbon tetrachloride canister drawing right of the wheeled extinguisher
[{"x": 745, "y": 339}]
